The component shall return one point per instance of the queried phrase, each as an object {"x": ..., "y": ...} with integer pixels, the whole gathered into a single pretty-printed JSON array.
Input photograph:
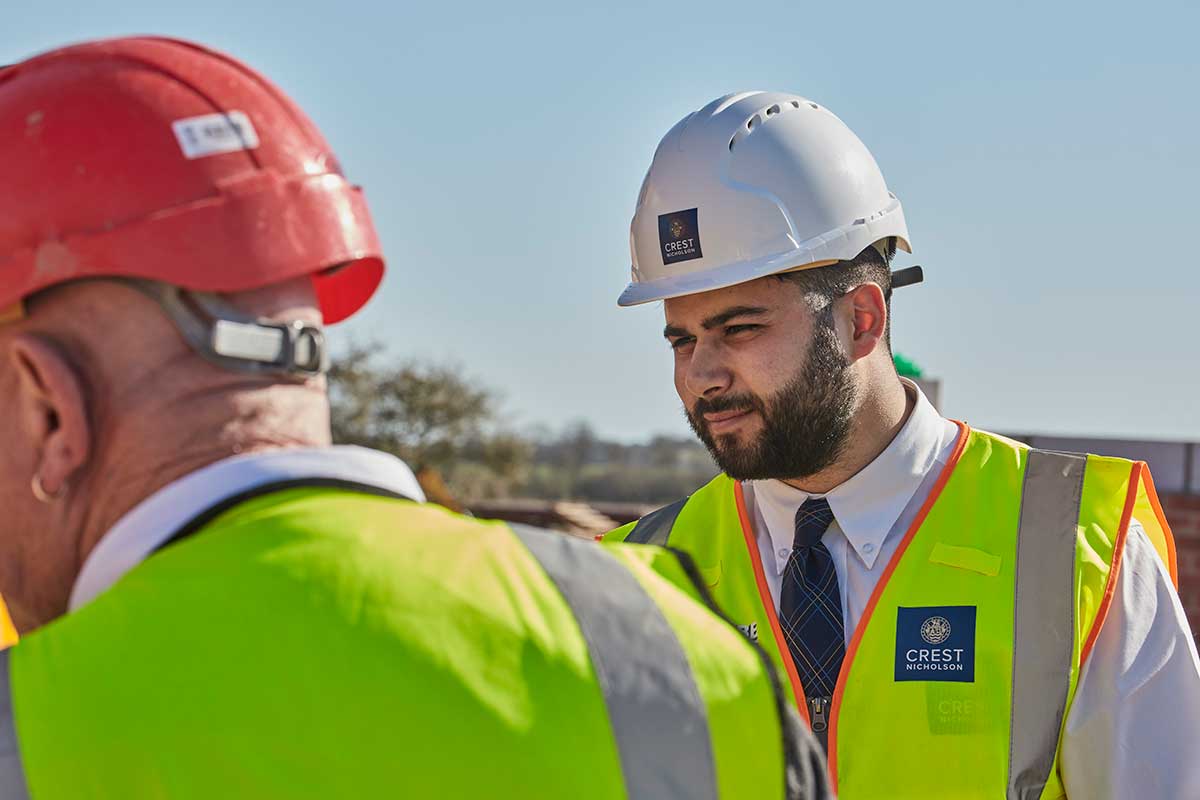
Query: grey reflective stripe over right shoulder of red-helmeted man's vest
[{"x": 658, "y": 718}]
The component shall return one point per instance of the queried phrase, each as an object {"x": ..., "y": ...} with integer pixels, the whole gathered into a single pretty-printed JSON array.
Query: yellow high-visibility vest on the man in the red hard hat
[{"x": 323, "y": 642}]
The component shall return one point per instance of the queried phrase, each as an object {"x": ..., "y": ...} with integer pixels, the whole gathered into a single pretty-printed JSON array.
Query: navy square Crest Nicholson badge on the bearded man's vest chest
[{"x": 937, "y": 643}]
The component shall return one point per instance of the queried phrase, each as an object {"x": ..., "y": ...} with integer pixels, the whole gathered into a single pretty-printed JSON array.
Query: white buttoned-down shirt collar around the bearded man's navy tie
[{"x": 868, "y": 504}]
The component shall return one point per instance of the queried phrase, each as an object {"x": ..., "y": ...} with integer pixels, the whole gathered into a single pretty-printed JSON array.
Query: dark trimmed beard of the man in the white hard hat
[{"x": 806, "y": 425}]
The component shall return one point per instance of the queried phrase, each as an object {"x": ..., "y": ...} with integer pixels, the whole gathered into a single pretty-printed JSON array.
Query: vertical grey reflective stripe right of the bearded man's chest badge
[{"x": 1043, "y": 631}]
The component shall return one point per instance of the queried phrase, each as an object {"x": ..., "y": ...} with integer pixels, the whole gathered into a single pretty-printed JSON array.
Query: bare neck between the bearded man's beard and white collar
[{"x": 879, "y": 420}]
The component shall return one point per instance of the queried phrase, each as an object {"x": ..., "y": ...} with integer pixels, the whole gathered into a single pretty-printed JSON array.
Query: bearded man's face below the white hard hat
[{"x": 764, "y": 380}]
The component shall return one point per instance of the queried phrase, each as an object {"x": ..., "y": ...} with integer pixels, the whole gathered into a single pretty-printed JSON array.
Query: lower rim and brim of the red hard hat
[{"x": 266, "y": 233}]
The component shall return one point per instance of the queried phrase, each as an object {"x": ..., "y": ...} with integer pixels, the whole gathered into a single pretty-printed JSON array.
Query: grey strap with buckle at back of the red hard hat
[{"x": 235, "y": 341}]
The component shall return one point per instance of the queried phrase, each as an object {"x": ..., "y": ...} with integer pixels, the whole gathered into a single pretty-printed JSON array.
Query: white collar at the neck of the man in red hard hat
[{"x": 145, "y": 528}]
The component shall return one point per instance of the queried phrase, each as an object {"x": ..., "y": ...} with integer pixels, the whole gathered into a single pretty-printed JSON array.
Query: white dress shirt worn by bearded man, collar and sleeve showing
[{"x": 1135, "y": 725}]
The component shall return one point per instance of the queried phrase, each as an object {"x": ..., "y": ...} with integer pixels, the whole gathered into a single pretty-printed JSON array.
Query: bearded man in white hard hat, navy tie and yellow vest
[{"x": 959, "y": 616}]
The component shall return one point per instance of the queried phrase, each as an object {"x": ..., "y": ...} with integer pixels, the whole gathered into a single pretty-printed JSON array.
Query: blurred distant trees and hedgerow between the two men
[{"x": 452, "y": 432}]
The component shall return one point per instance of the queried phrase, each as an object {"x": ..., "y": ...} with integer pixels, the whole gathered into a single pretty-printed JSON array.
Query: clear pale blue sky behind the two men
[{"x": 1046, "y": 154}]
